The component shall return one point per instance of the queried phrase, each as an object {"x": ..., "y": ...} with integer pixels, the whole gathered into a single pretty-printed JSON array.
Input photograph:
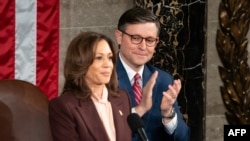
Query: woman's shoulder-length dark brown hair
[{"x": 80, "y": 55}]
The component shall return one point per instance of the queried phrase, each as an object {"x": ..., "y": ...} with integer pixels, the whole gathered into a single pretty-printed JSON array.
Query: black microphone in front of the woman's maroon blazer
[{"x": 136, "y": 125}]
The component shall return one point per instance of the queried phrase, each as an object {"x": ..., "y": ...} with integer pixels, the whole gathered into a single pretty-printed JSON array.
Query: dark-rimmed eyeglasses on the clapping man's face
[{"x": 137, "y": 39}]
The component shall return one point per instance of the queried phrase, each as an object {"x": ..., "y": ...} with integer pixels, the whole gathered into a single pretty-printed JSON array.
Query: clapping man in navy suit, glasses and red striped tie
[{"x": 137, "y": 36}]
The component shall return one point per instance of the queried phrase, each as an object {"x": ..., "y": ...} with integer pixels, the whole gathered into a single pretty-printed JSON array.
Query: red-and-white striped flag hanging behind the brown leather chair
[{"x": 29, "y": 42}]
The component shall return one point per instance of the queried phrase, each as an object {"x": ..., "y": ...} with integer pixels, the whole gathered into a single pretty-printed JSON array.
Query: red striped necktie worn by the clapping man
[{"x": 137, "y": 88}]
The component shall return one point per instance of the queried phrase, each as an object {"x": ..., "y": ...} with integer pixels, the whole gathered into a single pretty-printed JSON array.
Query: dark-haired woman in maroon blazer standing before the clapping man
[{"x": 91, "y": 107}]
